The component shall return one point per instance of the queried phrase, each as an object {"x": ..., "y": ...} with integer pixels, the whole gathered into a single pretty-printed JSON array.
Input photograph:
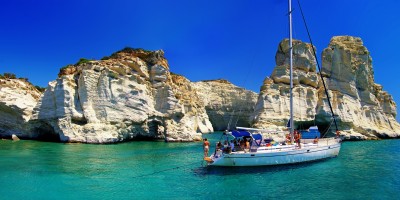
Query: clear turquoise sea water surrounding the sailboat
[{"x": 146, "y": 170}]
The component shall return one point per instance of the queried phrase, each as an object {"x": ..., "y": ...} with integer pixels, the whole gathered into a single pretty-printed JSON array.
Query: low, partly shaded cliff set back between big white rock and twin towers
[{"x": 225, "y": 103}]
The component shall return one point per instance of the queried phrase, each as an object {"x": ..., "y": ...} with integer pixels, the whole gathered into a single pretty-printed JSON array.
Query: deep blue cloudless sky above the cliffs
[{"x": 231, "y": 39}]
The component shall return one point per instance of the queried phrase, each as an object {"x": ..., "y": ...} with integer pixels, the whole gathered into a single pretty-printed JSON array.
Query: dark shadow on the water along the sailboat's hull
[{"x": 223, "y": 171}]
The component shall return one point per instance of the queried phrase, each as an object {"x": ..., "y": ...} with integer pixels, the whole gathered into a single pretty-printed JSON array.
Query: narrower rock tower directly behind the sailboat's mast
[{"x": 272, "y": 108}]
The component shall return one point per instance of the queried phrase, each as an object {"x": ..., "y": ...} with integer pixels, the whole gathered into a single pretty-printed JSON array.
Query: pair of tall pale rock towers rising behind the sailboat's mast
[{"x": 363, "y": 109}]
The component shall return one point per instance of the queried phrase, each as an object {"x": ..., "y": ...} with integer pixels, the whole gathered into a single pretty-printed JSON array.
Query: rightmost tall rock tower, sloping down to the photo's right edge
[{"x": 361, "y": 104}]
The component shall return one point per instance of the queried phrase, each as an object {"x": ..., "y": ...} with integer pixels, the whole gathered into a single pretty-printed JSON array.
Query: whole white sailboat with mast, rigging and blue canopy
[{"x": 262, "y": 152}]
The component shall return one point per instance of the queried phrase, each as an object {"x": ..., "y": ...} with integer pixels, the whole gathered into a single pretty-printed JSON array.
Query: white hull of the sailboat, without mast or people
[{"x": 277, "y": 155}]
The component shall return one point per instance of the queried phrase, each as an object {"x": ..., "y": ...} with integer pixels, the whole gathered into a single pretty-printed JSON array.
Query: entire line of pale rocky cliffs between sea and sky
[{"x": 133, "y": 95}]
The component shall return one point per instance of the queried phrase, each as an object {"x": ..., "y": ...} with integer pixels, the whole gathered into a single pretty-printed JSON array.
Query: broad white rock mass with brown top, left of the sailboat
[{"x": 129, "y": 95}]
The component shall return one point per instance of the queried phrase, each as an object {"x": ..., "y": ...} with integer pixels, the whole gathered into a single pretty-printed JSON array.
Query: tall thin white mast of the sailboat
[{"x": 291, "y": 73}]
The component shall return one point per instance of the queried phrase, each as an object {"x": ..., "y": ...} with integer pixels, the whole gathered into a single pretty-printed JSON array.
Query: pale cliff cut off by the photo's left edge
[{"x": 17, "y": 100}]
